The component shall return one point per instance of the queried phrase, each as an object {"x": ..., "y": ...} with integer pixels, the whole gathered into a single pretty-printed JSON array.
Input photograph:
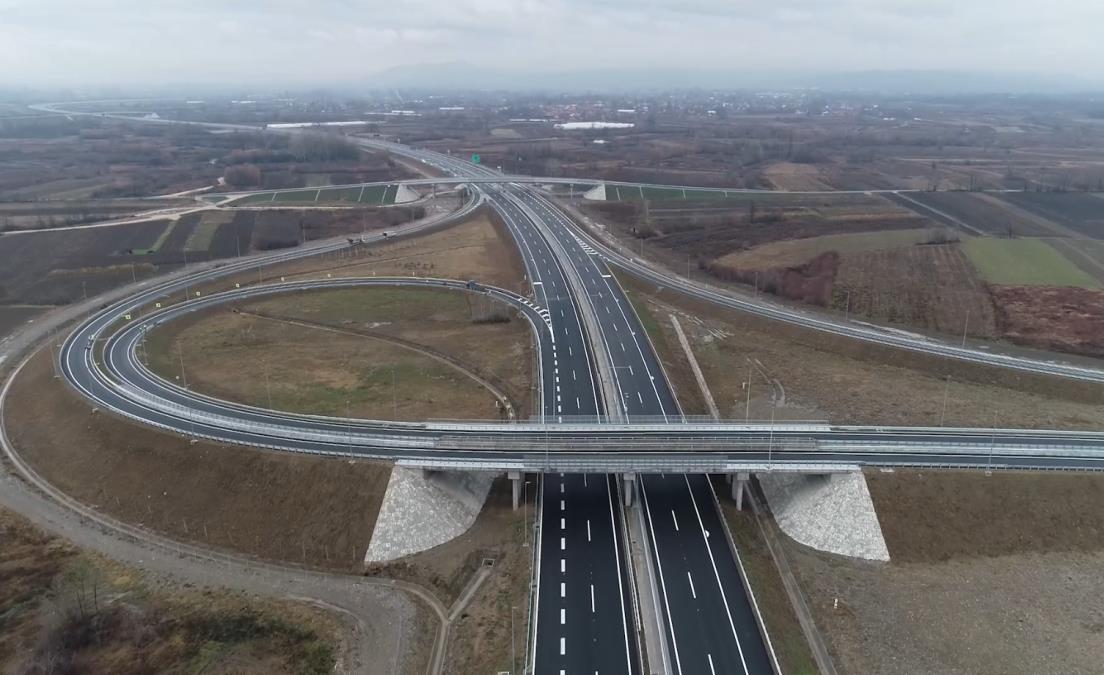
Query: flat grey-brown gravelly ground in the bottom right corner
[{"x": 1024, "y": 614}]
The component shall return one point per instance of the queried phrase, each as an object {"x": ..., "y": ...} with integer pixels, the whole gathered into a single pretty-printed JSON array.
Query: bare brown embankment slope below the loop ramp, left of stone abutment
[{"x": 273, "y": 505}]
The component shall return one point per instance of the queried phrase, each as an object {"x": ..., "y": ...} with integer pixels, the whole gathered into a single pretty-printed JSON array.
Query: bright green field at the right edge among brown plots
[{"x": 1024, "y": 262}]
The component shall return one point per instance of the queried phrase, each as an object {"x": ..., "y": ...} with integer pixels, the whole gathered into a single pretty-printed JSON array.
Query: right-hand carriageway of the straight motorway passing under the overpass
[{"x": 715, "y": 631}]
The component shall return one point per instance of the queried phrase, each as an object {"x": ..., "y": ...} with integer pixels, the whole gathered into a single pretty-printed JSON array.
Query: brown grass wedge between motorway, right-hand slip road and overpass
[{"x": 798, "y": 374}]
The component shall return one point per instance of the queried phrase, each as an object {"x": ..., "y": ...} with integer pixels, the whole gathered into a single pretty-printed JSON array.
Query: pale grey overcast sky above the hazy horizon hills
[{"x": 76, "y": 43}]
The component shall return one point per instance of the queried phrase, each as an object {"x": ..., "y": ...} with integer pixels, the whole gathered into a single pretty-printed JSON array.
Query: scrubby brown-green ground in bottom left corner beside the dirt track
[{"x": 63, "y": 611}]
